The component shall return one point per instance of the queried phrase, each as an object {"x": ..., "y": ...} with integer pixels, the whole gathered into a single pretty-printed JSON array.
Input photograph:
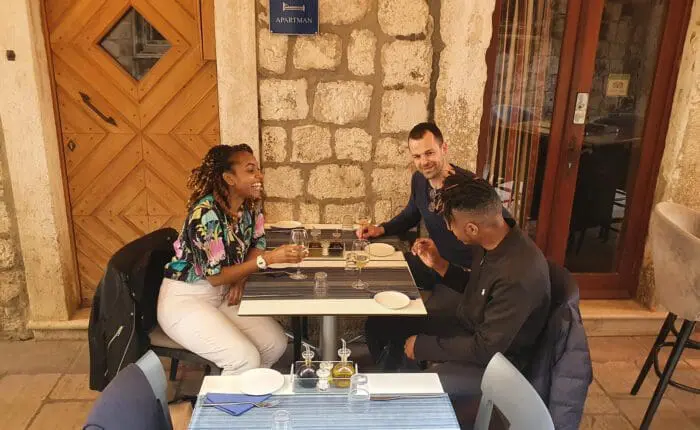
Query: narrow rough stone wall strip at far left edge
[{"x": 14, "y": 305}]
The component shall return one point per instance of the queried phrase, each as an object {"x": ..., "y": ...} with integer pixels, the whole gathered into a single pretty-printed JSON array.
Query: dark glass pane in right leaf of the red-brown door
[{"x": 625, "y": 65}]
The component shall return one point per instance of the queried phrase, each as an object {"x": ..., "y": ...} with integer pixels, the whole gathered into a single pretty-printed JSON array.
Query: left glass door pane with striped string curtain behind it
[{"x": 530, "y": 36}]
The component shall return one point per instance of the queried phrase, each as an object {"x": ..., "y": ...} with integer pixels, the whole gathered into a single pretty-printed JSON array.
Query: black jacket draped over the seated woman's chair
[{"x": 124, "y": 305}]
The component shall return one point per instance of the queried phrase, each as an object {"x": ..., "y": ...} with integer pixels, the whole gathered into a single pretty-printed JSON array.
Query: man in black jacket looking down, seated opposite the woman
[{"x": 503, "y": 307}]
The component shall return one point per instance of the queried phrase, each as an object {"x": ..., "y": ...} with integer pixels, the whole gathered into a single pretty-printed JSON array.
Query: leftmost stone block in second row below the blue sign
[{"x": 283, "y": 99}]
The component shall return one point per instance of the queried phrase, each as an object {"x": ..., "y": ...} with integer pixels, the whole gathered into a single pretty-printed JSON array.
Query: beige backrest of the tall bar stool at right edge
[{"x": 675, "y": 246}]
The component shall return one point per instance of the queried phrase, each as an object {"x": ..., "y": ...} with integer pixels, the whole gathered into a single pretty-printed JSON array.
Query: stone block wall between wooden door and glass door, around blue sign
[{"x": 336, "y": 108}]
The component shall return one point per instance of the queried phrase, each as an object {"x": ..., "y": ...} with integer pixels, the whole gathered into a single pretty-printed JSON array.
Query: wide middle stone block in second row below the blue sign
[{"x": 342, "y": 102}]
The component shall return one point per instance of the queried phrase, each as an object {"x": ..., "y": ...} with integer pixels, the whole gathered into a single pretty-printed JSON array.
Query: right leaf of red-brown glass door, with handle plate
[{"x": 613, "y": 134}]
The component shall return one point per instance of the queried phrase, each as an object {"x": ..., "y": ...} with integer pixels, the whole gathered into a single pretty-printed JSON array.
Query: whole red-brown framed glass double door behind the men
[{"x": 575, "y": 117}]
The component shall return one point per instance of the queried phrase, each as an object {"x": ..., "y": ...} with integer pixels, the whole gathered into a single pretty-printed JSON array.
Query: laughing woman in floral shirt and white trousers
[{"x": 221, "y": 243}]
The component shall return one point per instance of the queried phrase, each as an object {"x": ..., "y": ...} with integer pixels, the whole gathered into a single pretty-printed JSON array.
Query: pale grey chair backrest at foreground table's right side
[{"x": 506, "y": 388}]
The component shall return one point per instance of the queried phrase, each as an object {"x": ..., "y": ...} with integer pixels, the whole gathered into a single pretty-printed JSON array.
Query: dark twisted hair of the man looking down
[{"x": 469, "y": 193}]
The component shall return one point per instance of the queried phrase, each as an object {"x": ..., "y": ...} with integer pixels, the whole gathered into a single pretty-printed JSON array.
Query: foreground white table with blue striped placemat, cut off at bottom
[{"x": 425, "y": 406}]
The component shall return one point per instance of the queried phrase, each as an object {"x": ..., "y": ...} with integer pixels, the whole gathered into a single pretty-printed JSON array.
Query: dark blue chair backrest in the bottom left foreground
[{"x": 128, "y": 402}]
